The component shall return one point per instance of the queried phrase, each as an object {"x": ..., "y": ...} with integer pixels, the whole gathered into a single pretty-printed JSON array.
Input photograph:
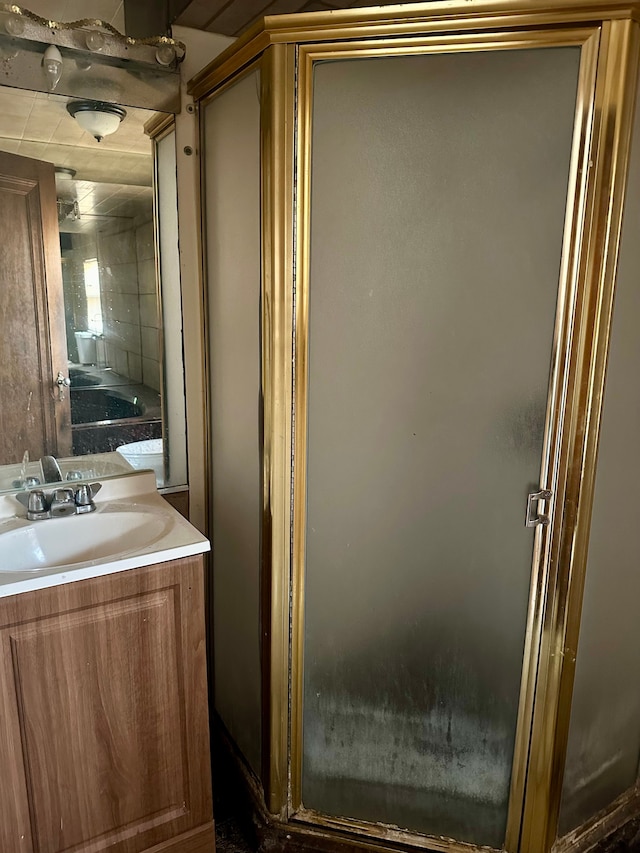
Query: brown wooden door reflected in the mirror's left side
[{"x": 33, "y": 343}]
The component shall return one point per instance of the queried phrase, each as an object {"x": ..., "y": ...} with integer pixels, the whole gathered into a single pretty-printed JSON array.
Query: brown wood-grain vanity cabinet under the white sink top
[{"x": 104, "y": 740}]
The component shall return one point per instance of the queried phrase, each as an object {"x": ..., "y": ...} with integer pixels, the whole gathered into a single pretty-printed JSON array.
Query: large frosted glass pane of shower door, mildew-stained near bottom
[{"x": 438, "y": 195}]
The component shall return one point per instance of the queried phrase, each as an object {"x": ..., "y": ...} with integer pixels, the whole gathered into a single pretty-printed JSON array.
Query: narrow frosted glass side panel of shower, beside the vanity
[{"x": 232, "y": 187}]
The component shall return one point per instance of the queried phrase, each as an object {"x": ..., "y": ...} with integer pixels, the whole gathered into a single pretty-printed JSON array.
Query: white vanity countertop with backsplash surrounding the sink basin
[{"x": 132, "y": 496}]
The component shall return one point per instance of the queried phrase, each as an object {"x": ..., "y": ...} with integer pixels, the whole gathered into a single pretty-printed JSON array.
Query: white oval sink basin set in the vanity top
[{"x": 38, "y": 545}]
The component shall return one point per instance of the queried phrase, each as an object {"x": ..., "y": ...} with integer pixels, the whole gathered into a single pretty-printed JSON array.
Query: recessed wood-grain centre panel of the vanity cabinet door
[{"x": 88, "y": 728}]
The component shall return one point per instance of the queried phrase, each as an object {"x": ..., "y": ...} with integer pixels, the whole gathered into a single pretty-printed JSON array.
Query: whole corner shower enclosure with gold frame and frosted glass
[{"x": 422, "y": 502}]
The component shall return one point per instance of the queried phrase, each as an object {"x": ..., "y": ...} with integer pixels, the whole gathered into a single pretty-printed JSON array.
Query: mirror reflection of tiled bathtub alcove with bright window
[{"x": 111, "y": 317}]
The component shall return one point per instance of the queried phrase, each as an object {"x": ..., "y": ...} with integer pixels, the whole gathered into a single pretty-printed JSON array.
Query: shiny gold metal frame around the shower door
[{"x": 609, "y": 36}]
